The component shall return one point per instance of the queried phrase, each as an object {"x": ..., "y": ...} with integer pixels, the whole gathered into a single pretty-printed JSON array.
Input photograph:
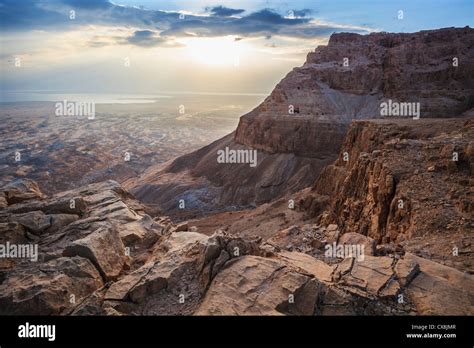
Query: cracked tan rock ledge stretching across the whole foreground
[{"x": 113, "y": 259}]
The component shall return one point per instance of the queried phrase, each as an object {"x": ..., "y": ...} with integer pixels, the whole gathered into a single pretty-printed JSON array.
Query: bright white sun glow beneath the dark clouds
[{"x": 216, "y": 52}]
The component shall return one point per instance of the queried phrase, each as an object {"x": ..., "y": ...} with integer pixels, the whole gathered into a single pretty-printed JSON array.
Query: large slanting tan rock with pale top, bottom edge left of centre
[{"x": 180, "y": 269}]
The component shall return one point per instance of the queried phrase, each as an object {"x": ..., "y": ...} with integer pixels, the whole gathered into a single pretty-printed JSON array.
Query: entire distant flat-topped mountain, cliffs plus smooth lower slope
[{"x": 300, "y": 127}]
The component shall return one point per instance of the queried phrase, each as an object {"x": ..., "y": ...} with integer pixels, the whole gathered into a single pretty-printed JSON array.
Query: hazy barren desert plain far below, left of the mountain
[{"x": 63, "y": 152}]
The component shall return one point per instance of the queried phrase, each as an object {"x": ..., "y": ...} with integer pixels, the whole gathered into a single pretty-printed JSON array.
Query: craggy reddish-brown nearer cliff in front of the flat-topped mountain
[{"x": 402, "y": 182}]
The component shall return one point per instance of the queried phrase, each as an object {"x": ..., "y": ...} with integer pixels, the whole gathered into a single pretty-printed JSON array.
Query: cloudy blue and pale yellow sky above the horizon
[{"x": 144, "y": 46}]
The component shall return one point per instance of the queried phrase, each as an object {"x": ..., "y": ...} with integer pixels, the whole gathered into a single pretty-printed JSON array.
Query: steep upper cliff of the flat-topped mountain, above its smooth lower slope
[{"x": 326, "y": 93}]
